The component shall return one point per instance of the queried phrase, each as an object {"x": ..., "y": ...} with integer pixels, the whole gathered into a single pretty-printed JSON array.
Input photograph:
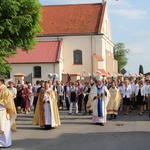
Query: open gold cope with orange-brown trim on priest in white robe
[{"x": 39, "y": 111}]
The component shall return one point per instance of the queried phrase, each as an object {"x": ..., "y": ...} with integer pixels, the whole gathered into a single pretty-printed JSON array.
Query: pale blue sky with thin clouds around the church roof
[{"x": 130, "y": 24}]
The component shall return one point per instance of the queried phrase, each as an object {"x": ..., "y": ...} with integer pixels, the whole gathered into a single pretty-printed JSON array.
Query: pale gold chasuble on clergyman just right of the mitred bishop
[{"x": 114, "y": 102}]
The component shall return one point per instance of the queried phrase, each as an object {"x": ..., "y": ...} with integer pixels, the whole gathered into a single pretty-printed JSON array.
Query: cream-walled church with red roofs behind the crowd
[{"x": 76, "y": 39}]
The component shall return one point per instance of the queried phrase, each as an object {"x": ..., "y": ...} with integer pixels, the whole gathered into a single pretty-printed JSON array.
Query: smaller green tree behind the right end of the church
[{"x": 120, "y": 55}]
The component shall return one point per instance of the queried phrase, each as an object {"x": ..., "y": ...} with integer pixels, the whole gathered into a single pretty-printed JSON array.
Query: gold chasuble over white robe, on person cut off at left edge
[{"x": 6, "y": 100}]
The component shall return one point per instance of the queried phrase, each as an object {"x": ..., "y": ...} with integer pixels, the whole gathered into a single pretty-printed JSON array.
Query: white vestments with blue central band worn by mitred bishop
[{"x": 100, "y": 105}]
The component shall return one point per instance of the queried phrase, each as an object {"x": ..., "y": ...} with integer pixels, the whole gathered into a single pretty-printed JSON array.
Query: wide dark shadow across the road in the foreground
[{"x": 88, "y": 141}]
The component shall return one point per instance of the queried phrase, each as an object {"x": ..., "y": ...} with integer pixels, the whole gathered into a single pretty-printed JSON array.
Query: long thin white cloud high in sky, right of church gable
[{"x": 130, "y": 13}]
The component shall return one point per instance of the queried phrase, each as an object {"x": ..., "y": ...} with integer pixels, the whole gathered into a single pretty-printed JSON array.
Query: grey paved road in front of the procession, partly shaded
[{"x": 77, "y": 132}]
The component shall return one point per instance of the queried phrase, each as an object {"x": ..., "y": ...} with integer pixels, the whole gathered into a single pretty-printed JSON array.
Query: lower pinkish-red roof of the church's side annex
[{"x": 43, "y": 52}]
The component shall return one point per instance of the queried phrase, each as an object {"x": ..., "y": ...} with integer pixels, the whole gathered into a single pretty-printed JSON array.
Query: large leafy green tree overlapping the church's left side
[{"x": 19, "y": 26}]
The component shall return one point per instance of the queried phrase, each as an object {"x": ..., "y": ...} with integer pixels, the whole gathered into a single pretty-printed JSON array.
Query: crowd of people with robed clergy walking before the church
[{"x": 101, "y": 98}]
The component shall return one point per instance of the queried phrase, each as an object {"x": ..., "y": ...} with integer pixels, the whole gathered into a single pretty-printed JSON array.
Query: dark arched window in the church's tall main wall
[{"x": 77, "y": 55}]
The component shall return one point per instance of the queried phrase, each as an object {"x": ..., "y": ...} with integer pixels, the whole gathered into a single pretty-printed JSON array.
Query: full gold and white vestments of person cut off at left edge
[{"x": 7, "y": 116}]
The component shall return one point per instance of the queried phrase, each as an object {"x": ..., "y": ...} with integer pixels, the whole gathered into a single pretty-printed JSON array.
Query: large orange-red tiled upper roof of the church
[{"x": 72, "y": 19}]
